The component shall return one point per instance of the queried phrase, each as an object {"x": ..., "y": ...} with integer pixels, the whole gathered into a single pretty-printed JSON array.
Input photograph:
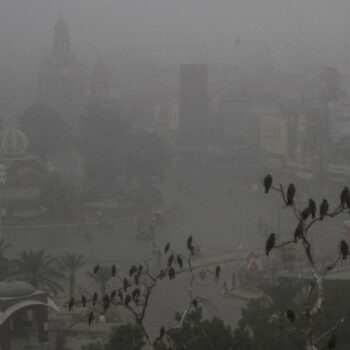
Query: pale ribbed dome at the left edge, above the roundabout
[{"x": 13, "y": 142}]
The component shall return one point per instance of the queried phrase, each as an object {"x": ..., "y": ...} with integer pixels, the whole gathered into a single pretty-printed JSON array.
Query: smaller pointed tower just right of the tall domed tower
[{"x": 99, "y": 82}]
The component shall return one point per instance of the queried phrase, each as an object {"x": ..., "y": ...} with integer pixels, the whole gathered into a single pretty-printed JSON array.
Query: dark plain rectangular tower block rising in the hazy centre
[{"x": 193, "y": 105}]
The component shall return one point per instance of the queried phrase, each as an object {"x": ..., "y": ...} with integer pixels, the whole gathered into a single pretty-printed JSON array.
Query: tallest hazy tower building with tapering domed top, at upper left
[{"x": 62, "y": 77}]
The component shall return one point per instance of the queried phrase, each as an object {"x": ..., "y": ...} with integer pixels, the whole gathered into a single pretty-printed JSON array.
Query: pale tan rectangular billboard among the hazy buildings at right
[{"x": 273, "y": 134}]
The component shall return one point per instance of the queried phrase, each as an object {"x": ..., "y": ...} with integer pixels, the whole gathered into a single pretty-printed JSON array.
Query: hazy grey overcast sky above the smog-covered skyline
[{"x": 283, "y": 31}]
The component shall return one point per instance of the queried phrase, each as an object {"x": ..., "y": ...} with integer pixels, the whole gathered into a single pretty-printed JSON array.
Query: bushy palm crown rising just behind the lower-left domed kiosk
[{"x": 39, "y": 269}]
